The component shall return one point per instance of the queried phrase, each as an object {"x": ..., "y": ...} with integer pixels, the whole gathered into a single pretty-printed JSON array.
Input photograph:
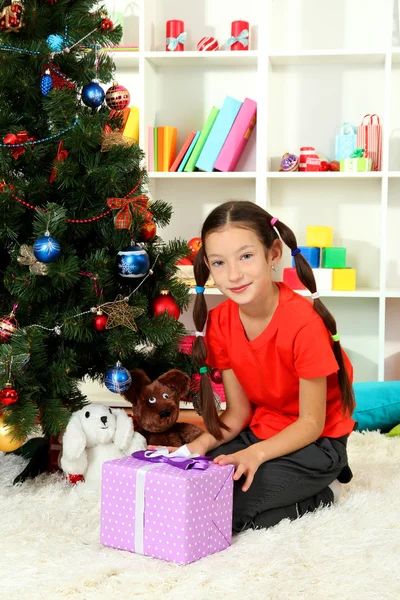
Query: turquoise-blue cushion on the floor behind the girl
[{"x": 377, "y": 405}]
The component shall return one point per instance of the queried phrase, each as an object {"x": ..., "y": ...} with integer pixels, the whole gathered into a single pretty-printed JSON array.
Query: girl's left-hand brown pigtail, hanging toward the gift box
[{"x": 207, "y": 407}]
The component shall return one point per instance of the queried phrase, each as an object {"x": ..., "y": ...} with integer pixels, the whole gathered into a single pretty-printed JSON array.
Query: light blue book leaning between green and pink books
[{"x": 218, "y": 134}]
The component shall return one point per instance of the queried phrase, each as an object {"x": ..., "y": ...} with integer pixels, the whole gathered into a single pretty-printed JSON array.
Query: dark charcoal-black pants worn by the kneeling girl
[{"x": 288, "y": 486}]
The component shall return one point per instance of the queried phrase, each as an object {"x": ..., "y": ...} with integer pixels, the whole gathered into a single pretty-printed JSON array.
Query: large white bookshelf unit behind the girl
[{"x": 311, "y": 65}]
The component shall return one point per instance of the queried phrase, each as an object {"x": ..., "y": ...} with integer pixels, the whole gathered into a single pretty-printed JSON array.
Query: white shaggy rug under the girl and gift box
[{"x": 49, "y": 545}]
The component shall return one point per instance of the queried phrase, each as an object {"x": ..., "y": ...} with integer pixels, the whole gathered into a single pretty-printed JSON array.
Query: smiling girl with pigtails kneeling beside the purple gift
[{"x": 286, "y": 379}]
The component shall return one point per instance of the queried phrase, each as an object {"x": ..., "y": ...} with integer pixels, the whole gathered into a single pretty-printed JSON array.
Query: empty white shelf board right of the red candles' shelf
[{"x": 326, "y": 57}]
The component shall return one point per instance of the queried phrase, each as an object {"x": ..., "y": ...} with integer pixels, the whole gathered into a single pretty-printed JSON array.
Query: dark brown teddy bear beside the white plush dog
[{"x": 156, "y": 408}]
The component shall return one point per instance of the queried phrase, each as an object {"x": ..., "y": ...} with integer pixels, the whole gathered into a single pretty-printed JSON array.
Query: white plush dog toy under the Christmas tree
[{"x": 95, "y": 434}]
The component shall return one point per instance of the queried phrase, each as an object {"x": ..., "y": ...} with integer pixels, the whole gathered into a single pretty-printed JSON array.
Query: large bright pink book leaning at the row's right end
[{"x": 237, "y": 137}]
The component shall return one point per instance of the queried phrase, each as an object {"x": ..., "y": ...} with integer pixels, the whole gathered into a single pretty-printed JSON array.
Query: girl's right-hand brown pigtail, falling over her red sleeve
[{"x": 306, "y": 276}]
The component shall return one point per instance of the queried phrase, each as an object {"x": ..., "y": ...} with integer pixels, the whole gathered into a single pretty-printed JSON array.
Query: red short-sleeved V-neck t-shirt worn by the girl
[{"x": 295, "y": 345}]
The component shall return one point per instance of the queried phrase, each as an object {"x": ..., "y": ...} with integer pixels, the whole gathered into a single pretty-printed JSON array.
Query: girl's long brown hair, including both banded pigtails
[{"x": 251, "y": 216}]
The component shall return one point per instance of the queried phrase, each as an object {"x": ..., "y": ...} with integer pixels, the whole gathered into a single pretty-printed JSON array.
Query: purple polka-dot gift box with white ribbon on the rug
[{"x": 160, "y": 510}]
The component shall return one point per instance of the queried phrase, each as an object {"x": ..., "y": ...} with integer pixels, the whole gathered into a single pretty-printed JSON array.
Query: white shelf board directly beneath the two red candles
[{"x": 200, "y": 59}]
